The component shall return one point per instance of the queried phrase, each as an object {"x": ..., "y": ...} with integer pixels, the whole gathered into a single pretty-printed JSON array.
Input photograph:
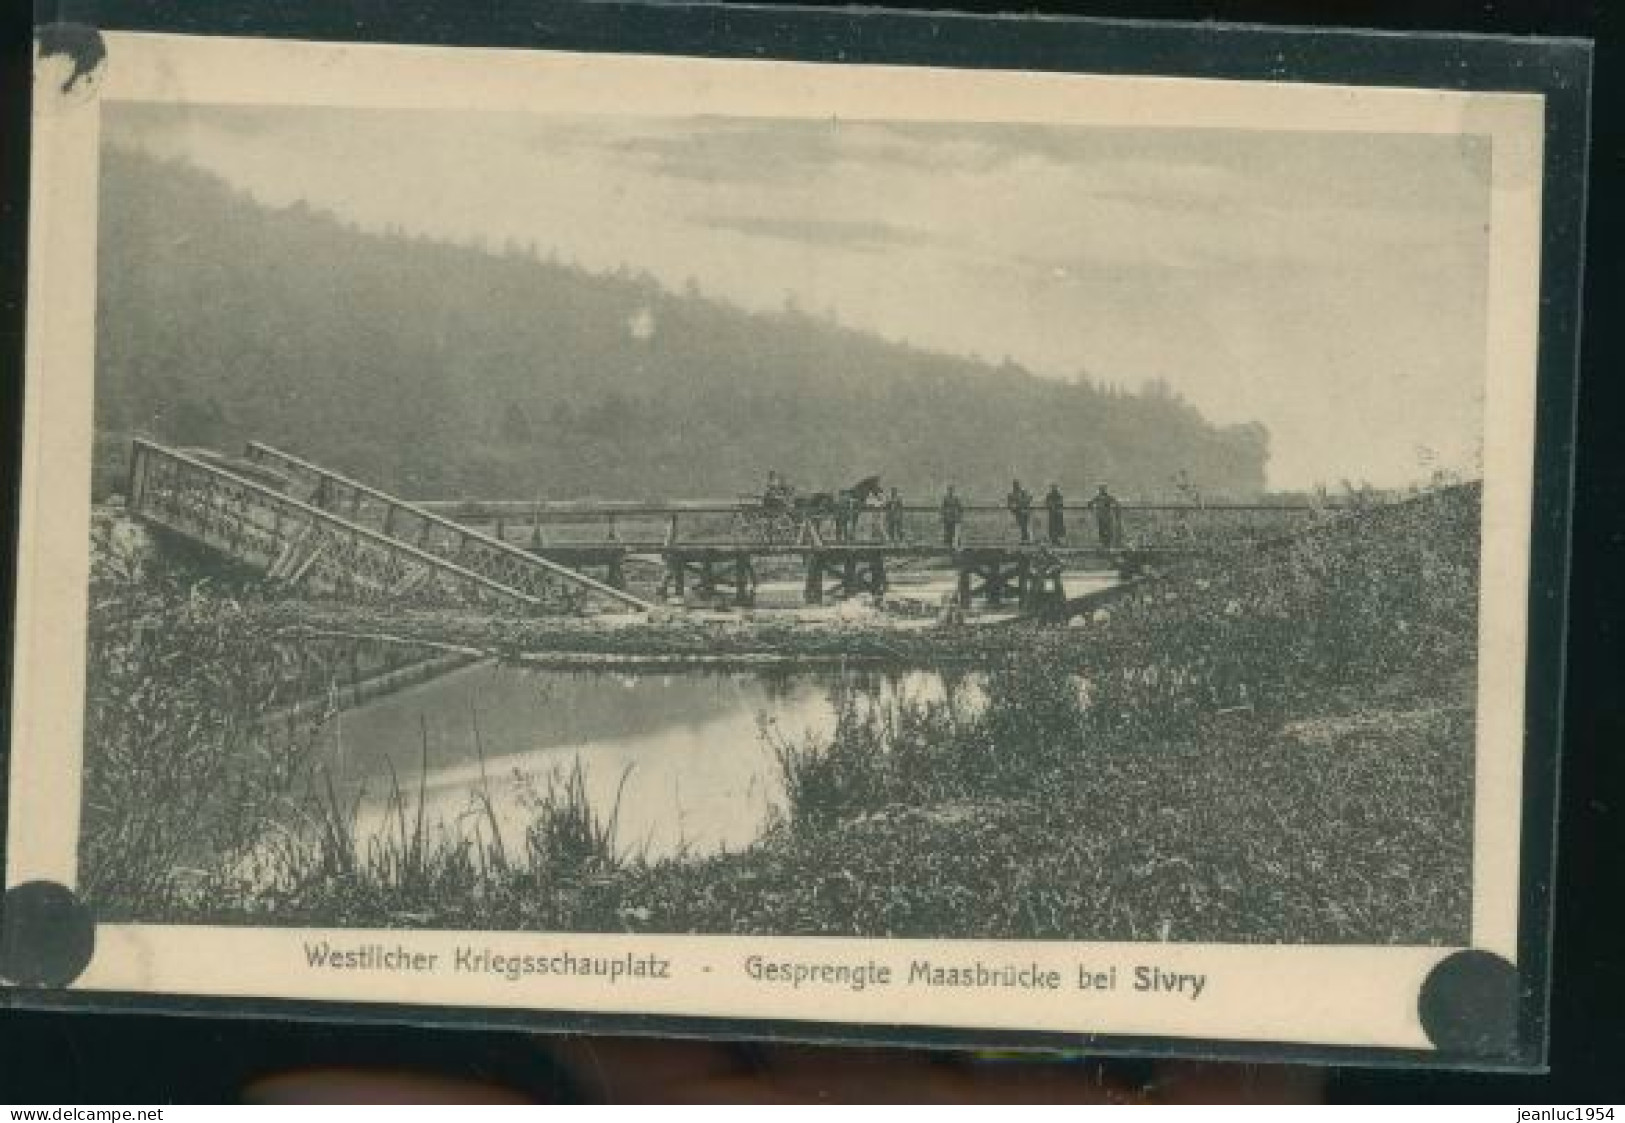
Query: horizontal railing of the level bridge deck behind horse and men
[{"x": 649, "y": 526}]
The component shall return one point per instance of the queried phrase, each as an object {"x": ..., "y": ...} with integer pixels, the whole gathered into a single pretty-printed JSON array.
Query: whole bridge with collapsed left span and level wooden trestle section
[{"x": 306, "y": 526}]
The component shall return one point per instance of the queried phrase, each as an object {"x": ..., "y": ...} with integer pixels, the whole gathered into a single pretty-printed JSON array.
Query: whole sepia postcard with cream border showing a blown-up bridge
[{"x": 1059, "y": 516}]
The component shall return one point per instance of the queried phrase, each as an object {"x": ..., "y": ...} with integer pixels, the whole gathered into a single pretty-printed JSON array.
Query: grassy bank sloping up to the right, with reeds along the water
[{"x": 1273, "y": 747}]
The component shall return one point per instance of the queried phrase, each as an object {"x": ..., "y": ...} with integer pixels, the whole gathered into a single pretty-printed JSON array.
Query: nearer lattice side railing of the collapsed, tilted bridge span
[{"x": 288, "y": 539}]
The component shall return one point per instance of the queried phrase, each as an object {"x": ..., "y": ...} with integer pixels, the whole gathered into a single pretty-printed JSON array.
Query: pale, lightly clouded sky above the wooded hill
[{"x": 1332, "y": 287}]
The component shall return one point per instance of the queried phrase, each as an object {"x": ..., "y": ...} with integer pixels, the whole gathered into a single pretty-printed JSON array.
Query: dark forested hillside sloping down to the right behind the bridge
[{"x": 443, "y": 370}]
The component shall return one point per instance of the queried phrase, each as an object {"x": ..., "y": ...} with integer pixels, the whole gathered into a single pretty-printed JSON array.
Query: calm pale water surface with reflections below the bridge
[{"x": 683, "y": 757}]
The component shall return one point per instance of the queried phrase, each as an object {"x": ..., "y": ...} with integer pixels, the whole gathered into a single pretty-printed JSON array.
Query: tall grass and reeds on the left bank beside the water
[{"x": 204, "y": 781}]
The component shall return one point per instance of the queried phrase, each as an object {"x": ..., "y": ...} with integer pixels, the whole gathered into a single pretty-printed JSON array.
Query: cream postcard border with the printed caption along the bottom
[{"x": 1315, "y": 995}]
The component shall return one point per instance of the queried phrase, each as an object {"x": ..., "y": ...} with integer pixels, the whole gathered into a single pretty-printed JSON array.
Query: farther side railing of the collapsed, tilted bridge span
[{"x": 464, "y": 545}]
